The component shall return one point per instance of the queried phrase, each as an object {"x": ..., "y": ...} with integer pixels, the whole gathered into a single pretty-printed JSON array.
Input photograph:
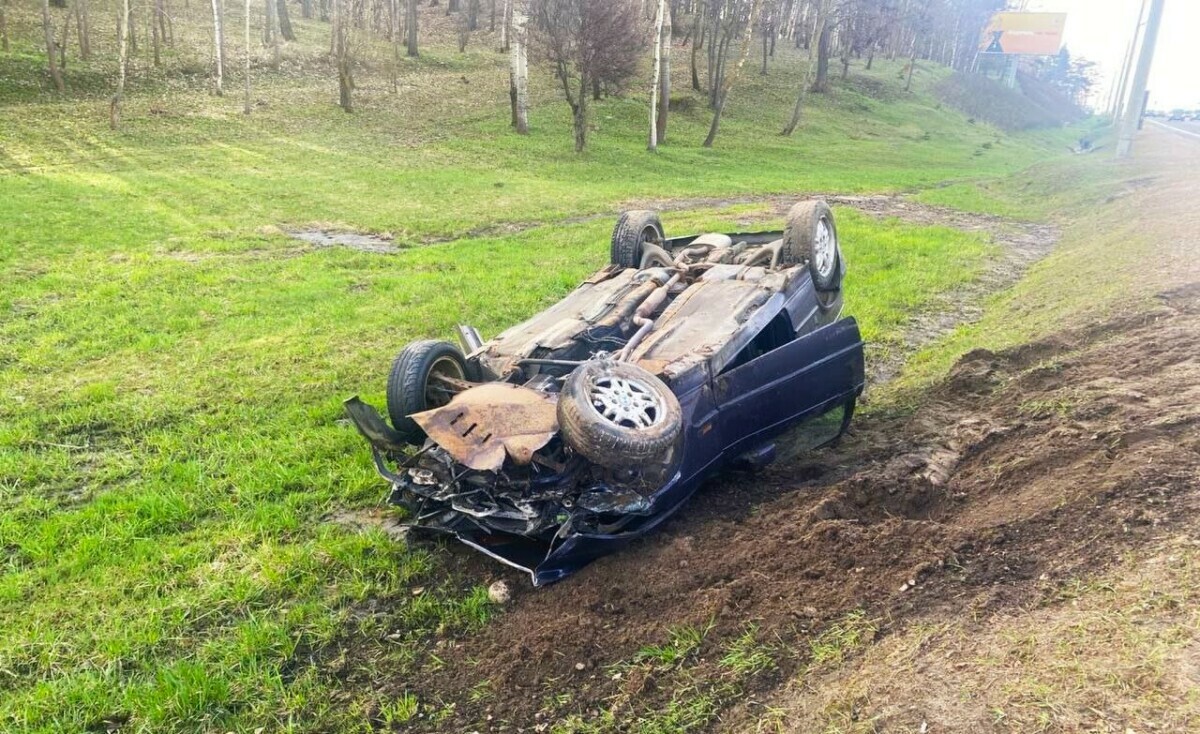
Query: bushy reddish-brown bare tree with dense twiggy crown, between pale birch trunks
[{"x": 585, "y": 41}]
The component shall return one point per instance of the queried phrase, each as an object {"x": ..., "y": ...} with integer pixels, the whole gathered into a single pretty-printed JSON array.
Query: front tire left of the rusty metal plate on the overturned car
[{"x": 409, "y": 384}]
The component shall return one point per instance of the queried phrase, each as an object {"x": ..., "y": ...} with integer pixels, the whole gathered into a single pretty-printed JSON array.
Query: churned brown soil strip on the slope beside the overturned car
[{"x": 1025, "y": 467}]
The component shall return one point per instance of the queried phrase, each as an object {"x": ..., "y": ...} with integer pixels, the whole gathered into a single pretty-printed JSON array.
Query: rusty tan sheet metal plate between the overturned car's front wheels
[{"x": 482, "y": 426}]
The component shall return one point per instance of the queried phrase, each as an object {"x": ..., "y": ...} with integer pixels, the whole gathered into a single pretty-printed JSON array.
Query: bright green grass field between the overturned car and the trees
[{"x": 172, "y": 366}]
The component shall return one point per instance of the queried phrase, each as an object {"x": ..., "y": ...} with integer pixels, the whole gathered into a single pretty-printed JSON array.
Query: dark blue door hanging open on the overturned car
[{"x": 794, "y": 382}]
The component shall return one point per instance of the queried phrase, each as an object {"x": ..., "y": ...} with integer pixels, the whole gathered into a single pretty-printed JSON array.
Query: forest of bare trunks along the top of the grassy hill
[{"x": 584, "y": 50}]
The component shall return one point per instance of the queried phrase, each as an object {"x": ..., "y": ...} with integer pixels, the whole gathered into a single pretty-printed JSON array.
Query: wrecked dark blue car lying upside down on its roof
[{"x": 590, "y": 424}]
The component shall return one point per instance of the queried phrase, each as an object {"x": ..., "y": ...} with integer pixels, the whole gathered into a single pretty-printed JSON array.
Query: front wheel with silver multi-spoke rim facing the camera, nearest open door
[{"x": 616, "y": 442}]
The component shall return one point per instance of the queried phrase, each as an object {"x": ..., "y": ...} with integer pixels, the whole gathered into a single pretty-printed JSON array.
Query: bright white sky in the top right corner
[{"x": 1100, "y": 31}]
